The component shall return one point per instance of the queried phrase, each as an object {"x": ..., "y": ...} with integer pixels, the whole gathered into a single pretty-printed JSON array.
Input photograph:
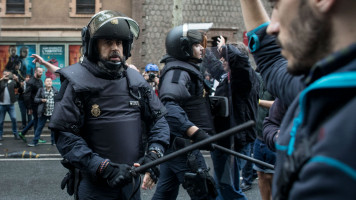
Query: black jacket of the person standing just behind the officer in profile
[{"x": 242, "y": 92}]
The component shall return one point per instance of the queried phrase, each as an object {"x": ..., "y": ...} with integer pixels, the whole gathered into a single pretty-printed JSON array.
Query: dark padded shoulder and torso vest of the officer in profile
[{"x": 197, "y": 107}]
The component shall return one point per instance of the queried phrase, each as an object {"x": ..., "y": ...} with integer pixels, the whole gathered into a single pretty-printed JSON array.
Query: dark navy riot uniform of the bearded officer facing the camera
[{"x": 99, "y": 117}]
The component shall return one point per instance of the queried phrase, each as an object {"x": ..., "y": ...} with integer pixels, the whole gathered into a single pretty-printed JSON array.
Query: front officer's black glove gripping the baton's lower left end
[{"x": 117, "y": 175}]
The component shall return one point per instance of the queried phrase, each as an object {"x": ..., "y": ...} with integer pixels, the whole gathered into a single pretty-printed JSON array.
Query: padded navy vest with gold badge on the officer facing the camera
[{"x": 112, "y": 112}]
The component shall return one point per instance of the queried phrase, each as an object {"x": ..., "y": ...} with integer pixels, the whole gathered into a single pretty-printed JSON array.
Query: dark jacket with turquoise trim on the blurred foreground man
[{"x": 315, "y": 146}]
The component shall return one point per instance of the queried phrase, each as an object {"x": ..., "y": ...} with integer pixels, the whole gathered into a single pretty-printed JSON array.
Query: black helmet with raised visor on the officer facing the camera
[{"x": 109, "y": 24}]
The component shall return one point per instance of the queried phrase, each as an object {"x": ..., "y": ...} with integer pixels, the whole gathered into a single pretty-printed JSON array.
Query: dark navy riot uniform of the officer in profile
[{"x": 182, "y": 92}]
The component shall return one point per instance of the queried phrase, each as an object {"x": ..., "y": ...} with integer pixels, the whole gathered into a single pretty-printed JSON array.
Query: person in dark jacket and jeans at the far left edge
[{"x": 8, "y": 83}]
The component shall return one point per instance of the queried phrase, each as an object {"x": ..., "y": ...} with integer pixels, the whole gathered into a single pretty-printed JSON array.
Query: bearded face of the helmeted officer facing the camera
[{"x": 110, "y": 50}]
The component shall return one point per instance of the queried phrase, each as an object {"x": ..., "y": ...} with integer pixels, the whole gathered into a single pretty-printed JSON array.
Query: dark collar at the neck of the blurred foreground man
[{"x": 336, "y": 62}]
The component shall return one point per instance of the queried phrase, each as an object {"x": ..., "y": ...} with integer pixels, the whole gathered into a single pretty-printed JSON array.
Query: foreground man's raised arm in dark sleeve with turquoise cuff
[{"x": 267, "y": 53}]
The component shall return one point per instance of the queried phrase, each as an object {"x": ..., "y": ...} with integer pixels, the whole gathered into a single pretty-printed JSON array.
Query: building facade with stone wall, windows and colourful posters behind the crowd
[{"x": 52, "y": 28}]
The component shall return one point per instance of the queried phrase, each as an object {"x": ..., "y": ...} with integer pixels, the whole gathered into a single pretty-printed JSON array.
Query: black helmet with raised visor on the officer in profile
[{"x": 180, "y": 39}]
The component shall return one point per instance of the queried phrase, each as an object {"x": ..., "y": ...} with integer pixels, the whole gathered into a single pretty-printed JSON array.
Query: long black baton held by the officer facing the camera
[{"x": 197, "y": 145}]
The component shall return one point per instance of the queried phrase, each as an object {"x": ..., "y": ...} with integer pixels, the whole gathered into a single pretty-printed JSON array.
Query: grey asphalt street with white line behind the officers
[{"x": 39, "y": 178}]
